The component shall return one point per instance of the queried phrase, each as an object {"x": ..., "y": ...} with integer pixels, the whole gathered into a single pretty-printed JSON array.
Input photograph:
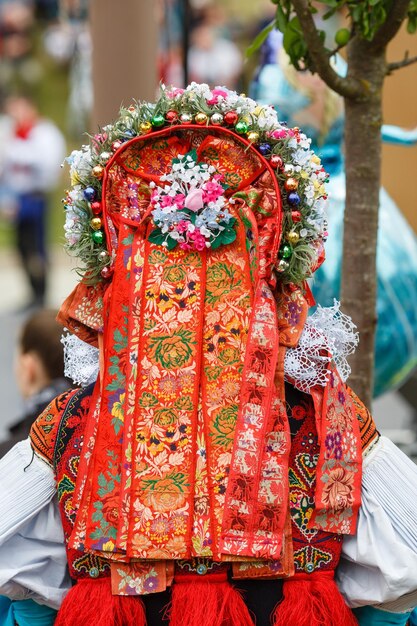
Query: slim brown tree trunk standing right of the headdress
[{"x": 363, "y": 172}]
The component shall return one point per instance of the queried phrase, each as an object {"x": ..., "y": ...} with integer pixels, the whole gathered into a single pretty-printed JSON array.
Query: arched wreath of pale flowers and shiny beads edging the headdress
[{"x": 297, "y": 168}]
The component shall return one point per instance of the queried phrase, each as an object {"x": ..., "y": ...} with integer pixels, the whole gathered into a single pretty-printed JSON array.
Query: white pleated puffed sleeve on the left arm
[{"x": 32, "y": 552}]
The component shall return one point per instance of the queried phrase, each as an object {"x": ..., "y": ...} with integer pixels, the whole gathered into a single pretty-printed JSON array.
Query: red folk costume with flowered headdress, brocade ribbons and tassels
[{"x": 219, "y": 449}]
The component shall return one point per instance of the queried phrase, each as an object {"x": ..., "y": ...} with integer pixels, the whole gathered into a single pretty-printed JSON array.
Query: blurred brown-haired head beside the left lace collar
[{"x": 40, "y": 357}]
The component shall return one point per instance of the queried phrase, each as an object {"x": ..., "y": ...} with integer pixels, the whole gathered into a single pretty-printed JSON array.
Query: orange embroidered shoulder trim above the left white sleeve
[{"x": 44, "y": 429}]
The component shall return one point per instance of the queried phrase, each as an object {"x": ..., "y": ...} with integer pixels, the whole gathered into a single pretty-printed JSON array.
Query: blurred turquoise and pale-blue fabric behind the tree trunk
[{"x": 396, "y": 333}]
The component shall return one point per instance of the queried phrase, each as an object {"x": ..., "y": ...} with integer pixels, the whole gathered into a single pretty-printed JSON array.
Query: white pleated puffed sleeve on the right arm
[{"x": 379, "y": 564}]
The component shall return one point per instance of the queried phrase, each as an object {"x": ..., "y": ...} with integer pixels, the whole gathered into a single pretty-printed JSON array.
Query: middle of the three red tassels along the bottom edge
[{"x": 209, "y": 599}]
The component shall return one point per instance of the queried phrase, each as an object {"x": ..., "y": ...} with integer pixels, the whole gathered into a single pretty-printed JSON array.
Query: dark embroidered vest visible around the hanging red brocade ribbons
[{"x": 57, "y": 436}]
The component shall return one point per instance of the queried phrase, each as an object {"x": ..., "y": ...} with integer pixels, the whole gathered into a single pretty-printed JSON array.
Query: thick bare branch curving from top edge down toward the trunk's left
[{"x": 342, "y": 85}]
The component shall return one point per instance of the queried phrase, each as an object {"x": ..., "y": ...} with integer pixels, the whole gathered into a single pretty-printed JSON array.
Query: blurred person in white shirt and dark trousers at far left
[{"x": 29, "y": 169}]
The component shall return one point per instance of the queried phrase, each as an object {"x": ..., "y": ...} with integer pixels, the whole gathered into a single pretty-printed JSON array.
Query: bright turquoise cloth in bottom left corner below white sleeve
[{"x": 25, "y": 613}]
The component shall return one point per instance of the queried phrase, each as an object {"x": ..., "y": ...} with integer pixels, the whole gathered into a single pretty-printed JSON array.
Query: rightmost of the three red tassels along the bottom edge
[{"x": 313, "y": 600}]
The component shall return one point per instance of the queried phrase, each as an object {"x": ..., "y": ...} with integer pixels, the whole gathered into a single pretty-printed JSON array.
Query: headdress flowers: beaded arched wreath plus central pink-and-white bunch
[{"x": 298, "y": 170}]
